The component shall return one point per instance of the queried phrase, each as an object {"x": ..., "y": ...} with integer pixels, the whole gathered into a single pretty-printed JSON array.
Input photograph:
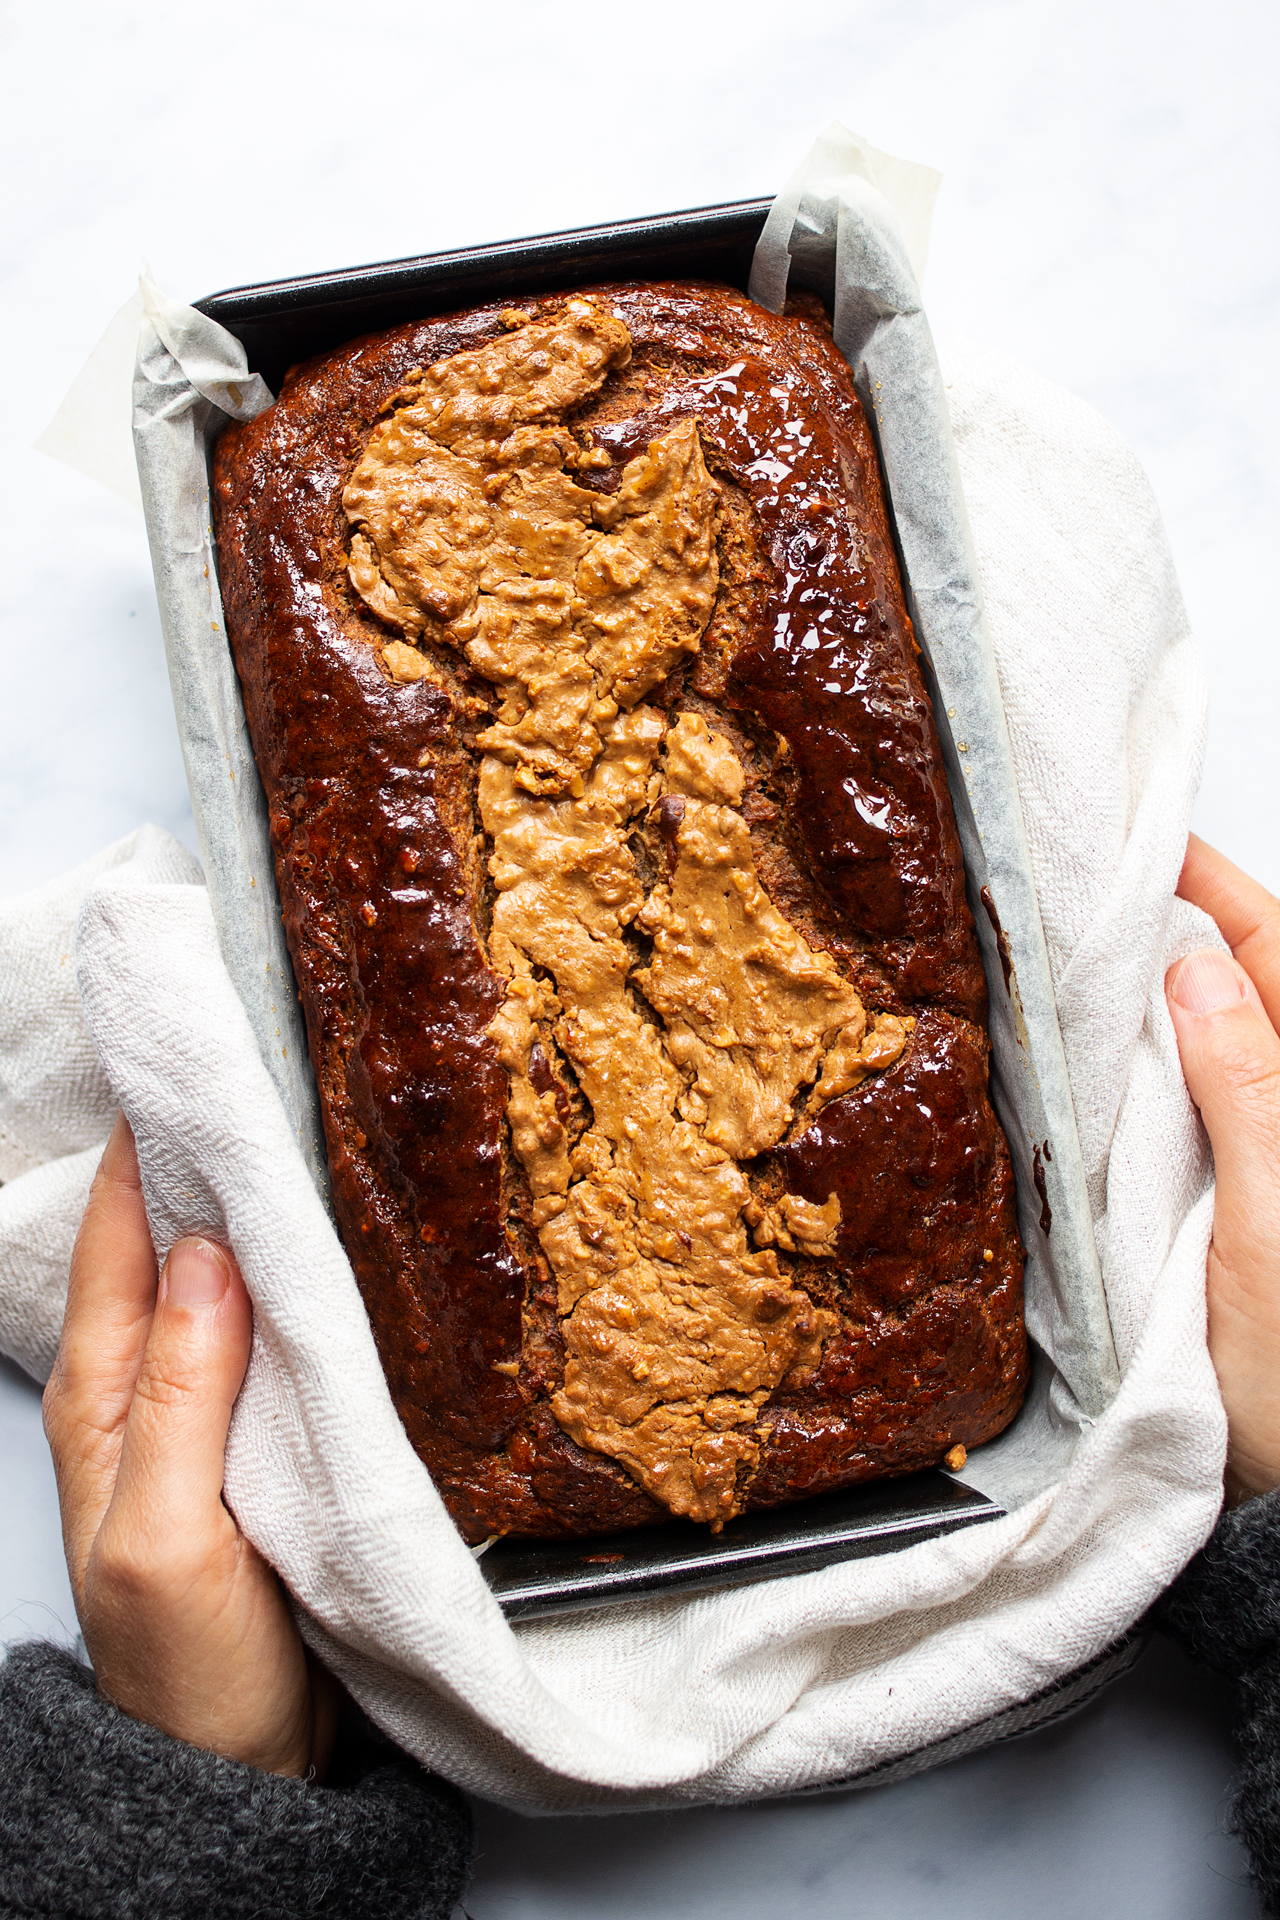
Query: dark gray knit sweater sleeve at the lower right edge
[{"x": 1227, "y": 1612}]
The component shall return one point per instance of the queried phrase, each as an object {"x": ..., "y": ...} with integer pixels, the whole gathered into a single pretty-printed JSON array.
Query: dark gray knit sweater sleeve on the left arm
[{"x": 107, "y": 1819}]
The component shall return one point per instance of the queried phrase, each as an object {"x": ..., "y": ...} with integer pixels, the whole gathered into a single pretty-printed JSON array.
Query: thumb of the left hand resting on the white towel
[{"x": 170, "y": 1479}]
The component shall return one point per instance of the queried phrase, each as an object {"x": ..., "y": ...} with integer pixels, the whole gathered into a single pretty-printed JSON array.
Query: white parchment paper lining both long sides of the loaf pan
[{"x": 832, "y": 229}]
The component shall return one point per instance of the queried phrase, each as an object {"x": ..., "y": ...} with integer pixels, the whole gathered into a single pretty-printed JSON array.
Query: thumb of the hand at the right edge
[{"x": 1231, "y": 1059}]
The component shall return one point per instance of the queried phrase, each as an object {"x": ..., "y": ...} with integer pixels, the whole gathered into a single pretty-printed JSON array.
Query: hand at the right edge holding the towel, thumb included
[{"x": 1227, "y": 1017}]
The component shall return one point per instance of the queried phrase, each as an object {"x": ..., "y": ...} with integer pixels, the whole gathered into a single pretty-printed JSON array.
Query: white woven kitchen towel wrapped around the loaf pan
[{"x": 782, "y": 1685}]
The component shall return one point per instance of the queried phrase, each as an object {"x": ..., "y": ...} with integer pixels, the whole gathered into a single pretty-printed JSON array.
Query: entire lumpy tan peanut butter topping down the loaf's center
[{"x": 577, "y": 606}]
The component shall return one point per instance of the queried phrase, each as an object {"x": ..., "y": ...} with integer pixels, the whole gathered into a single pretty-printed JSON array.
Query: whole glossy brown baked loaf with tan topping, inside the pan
[{"x": 627, "y": 905}]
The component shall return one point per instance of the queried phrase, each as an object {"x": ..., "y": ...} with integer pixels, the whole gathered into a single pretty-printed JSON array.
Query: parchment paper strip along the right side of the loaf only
[{"x": 834, "y": 231}]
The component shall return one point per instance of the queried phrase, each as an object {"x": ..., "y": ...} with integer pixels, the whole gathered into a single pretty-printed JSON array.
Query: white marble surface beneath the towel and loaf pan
[{"x": 1106, "y": 214}]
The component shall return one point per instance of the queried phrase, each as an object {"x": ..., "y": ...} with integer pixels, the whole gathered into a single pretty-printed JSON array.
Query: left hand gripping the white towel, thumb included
[{"x": 185, "y": 1621}]
